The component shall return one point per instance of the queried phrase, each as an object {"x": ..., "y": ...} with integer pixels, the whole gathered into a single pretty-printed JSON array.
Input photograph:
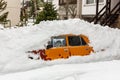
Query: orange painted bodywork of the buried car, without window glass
[{"x": 67, "y": 50}]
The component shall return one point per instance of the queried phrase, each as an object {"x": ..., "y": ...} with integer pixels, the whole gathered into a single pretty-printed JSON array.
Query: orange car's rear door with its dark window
[{"x": 77, "y": 46}]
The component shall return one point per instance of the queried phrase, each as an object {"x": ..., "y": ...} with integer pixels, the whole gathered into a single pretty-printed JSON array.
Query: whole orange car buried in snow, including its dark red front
[{"x": 64, "y": 46}]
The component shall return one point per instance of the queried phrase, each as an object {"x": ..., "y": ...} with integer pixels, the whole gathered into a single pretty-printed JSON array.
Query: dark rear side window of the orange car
[{"x": 76, "y": 41}]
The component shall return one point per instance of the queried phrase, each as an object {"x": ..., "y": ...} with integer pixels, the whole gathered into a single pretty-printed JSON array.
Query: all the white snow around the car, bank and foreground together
[{"x": 101, "y": 65}]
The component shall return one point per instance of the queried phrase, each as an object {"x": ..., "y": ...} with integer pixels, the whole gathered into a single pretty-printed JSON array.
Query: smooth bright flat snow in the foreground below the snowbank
[{"x": 89, "y": 71}]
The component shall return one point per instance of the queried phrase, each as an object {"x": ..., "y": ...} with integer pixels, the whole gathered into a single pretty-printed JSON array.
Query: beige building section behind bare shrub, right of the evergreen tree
[{"x": 67, "y": 9}]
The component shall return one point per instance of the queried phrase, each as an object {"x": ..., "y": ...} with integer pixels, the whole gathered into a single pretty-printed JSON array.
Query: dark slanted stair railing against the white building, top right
[{"x": 113, "y": 14}]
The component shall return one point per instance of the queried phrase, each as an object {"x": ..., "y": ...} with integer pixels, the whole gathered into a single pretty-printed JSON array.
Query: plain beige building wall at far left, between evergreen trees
[{"x": 13, "y": 7}]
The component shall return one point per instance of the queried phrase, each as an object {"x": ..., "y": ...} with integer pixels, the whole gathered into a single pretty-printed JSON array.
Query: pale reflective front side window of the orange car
[{"x": 58, "y": 41}]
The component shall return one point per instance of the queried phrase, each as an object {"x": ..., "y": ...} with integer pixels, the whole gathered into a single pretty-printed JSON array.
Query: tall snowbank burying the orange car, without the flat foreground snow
[{"x": 15, "y": 42}]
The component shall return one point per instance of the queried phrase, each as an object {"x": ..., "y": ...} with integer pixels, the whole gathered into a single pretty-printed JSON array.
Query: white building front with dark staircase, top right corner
[{"x": 104, "y": 12}]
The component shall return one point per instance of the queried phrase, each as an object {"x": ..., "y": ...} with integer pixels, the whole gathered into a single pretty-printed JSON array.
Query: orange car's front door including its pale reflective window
[{"x": 59, "y": 50}]
